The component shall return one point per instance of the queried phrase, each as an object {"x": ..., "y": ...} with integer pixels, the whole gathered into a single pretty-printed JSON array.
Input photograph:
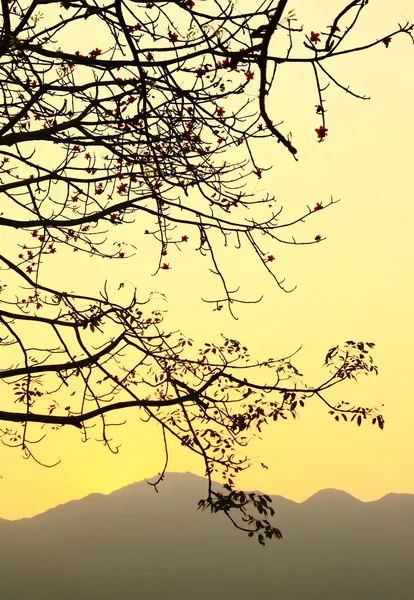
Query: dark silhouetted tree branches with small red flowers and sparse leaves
[{"x": 156, "y": 115}]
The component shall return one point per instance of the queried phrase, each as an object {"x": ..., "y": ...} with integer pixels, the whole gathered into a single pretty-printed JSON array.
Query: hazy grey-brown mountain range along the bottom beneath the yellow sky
[{"x": 136, "y": 543}]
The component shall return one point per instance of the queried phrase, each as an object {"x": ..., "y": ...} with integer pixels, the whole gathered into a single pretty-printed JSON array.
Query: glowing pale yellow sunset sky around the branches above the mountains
[{"x": 358, "y": 284}]
